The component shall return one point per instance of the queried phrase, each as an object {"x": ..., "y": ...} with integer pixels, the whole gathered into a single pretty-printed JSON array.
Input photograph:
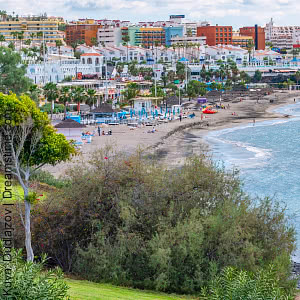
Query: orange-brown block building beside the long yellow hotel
[{"x": 81, "y": 32}]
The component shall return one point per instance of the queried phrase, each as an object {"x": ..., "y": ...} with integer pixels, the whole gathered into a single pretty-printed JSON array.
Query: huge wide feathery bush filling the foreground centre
[{"x": 133, "y": 222}]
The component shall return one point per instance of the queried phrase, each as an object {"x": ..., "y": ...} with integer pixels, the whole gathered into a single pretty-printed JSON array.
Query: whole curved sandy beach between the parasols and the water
[{"x": 174, "y": 141}]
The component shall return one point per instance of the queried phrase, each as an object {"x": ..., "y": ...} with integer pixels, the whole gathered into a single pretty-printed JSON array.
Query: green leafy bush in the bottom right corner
[{"x": 235, "y": 285}]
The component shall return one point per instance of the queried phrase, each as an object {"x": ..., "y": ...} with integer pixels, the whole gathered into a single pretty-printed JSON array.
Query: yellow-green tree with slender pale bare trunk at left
[{"x": 31, "y": 142}]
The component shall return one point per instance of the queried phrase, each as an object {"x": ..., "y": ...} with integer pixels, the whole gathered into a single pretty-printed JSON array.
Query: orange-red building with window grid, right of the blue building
[{"x": 216, "y": 35}]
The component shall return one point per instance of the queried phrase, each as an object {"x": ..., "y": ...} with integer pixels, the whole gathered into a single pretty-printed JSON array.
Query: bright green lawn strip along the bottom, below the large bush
[{"x": 86, "y": 290}]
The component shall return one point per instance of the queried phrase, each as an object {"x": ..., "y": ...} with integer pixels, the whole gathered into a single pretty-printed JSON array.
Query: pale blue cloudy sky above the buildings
[{"x": 237, "y": 13}]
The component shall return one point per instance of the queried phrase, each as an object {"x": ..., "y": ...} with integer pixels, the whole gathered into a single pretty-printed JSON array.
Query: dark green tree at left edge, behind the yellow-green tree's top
[{"x": 12, "y": 72}]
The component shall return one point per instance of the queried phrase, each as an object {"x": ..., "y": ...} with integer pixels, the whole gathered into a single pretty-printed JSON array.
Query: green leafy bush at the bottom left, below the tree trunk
[{"x": 26, "y": 280}]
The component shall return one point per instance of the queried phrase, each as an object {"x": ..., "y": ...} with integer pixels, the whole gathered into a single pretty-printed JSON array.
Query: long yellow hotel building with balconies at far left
[{"x": 30, "y": 29}]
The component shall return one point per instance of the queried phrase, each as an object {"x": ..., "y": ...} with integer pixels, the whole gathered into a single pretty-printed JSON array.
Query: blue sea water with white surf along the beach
[{"x": 268, "y": 156}]
